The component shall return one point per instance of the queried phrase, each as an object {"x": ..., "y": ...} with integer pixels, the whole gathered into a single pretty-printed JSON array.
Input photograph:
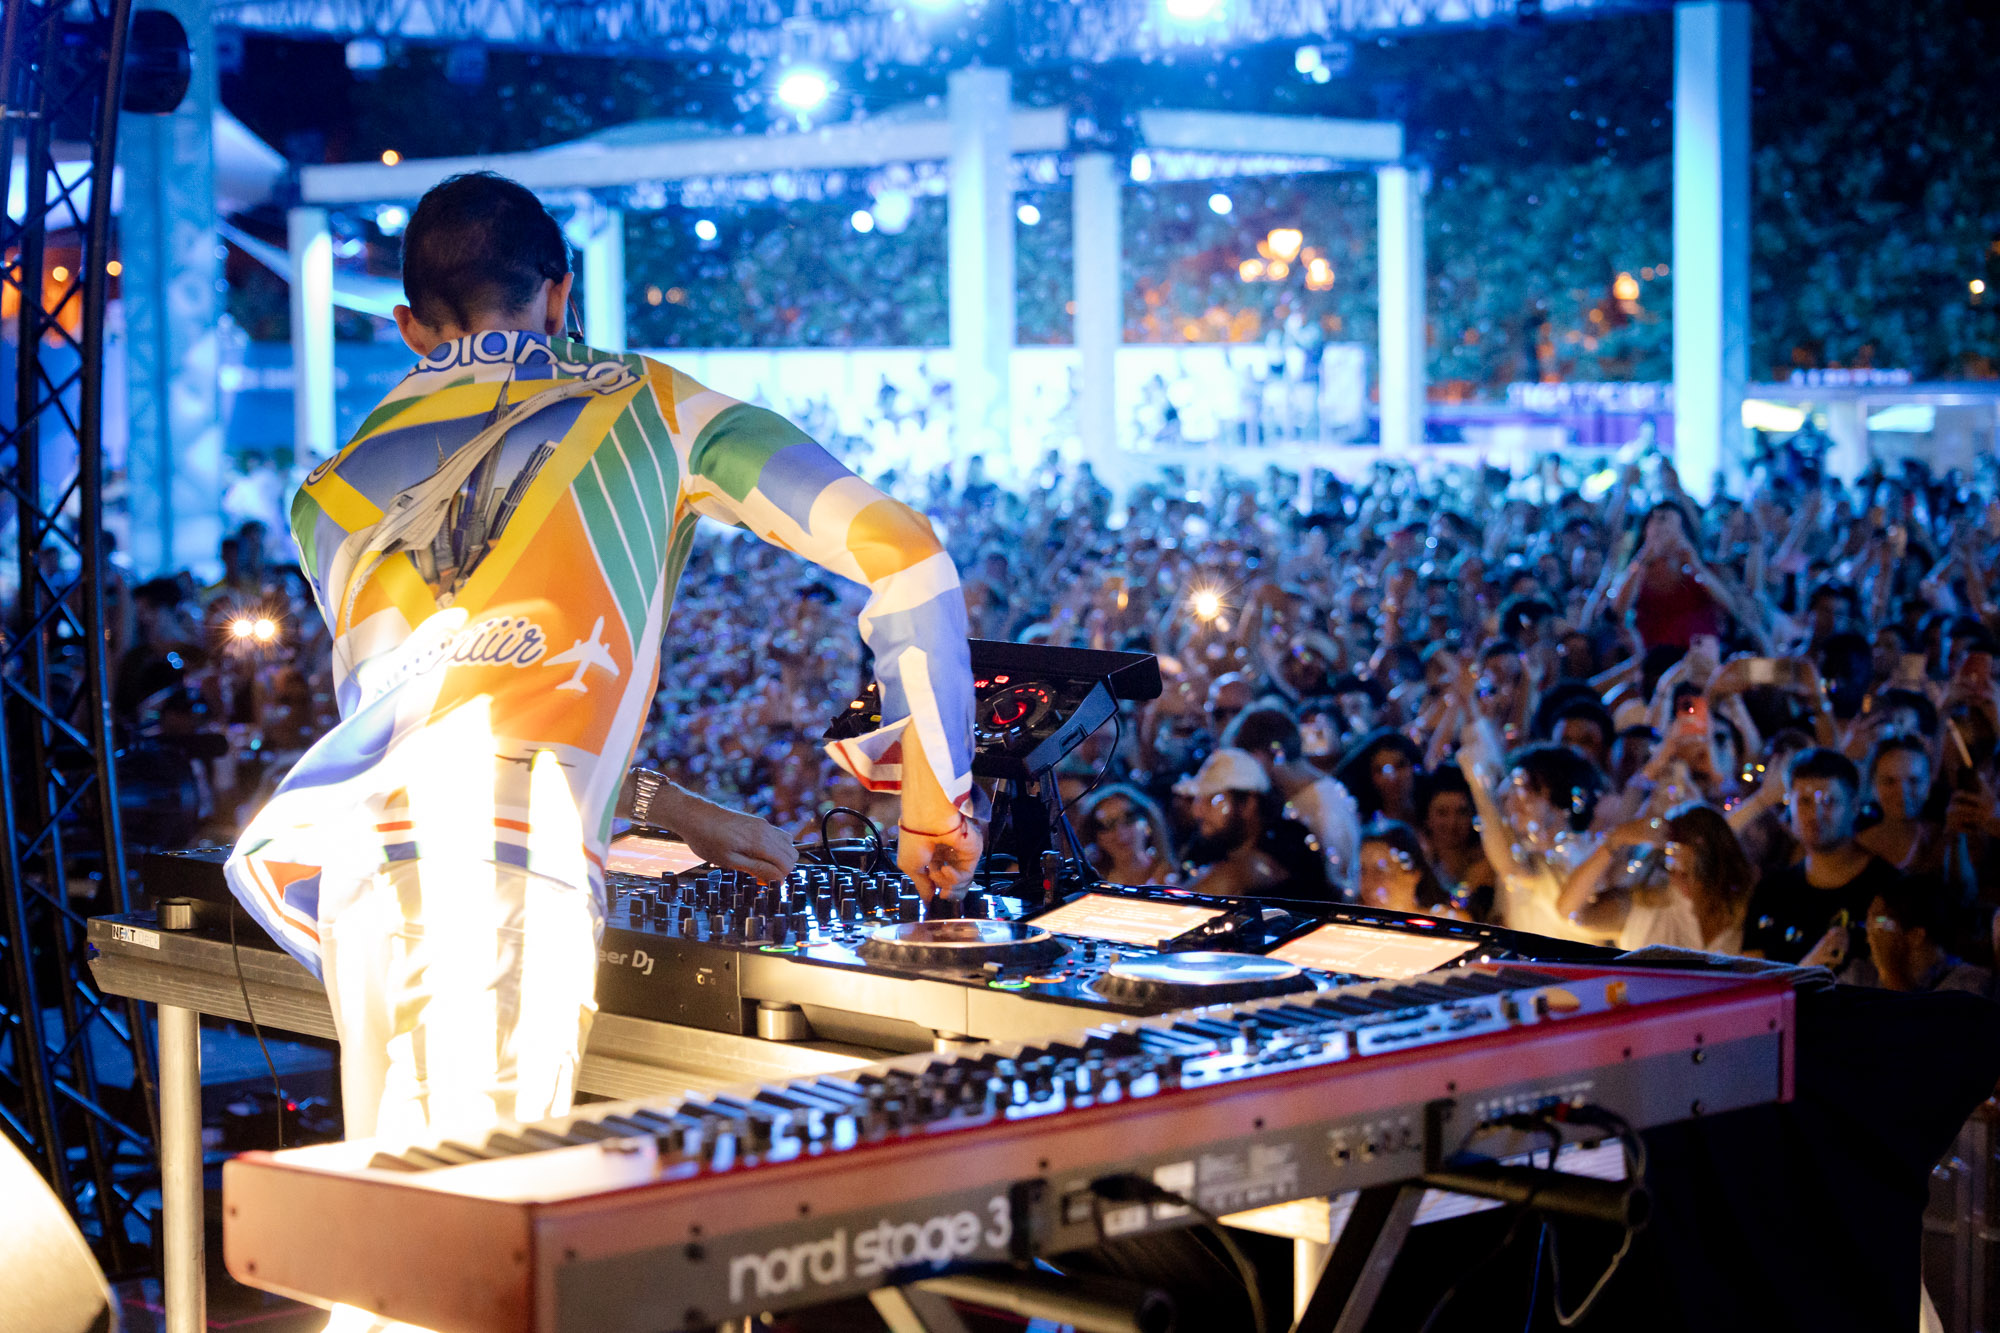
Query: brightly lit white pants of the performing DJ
[{"x": 463, "y": 996}]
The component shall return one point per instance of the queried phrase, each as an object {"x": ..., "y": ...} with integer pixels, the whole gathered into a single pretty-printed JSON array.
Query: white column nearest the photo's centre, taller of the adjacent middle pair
[{"x": 981, "y": 261}]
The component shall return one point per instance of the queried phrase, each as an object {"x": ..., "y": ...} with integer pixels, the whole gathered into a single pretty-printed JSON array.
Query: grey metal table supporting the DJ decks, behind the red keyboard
[{"x": 191, "y": 976}]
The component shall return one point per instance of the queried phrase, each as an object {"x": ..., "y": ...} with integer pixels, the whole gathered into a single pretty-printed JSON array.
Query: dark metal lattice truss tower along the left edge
[{"x": 75, "y": 1066}]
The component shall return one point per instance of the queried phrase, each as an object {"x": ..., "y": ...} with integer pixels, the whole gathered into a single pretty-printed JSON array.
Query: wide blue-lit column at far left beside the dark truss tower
[{"x": 167, "y": 249}]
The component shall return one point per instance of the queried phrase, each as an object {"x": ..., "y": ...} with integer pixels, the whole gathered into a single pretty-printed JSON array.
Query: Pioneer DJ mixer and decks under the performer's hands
[{"x": 851, "y": 956}]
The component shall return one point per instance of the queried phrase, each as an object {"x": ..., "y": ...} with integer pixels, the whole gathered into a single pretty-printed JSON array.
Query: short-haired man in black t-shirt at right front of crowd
[{"x": 1819, "y": 906}]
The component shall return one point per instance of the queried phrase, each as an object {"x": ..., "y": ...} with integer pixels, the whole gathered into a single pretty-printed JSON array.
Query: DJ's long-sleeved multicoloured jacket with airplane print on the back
[{"x": 507, "y": 531}]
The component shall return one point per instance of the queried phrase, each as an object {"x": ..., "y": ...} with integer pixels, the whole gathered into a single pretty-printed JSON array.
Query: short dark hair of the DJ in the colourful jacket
[{"x": 479, "y": 243}]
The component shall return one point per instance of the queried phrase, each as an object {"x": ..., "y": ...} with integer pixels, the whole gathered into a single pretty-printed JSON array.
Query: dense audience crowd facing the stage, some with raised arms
[{"x": 1575, "y": 706}]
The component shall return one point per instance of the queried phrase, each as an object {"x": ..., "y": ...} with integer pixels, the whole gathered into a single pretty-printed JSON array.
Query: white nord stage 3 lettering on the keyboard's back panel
[{"x": 871, "y": 1254}]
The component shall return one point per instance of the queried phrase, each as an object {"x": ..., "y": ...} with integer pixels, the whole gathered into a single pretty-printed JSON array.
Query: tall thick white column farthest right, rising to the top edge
[{"x": 1711, "y": 239}]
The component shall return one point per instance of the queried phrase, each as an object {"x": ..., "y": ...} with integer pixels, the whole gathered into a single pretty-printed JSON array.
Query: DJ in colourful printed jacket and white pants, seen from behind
[{"x": 497, "y": 553}]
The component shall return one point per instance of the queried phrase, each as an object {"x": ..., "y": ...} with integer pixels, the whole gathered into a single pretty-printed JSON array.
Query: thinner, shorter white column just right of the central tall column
[{"x": 1099, "y": 251}]
